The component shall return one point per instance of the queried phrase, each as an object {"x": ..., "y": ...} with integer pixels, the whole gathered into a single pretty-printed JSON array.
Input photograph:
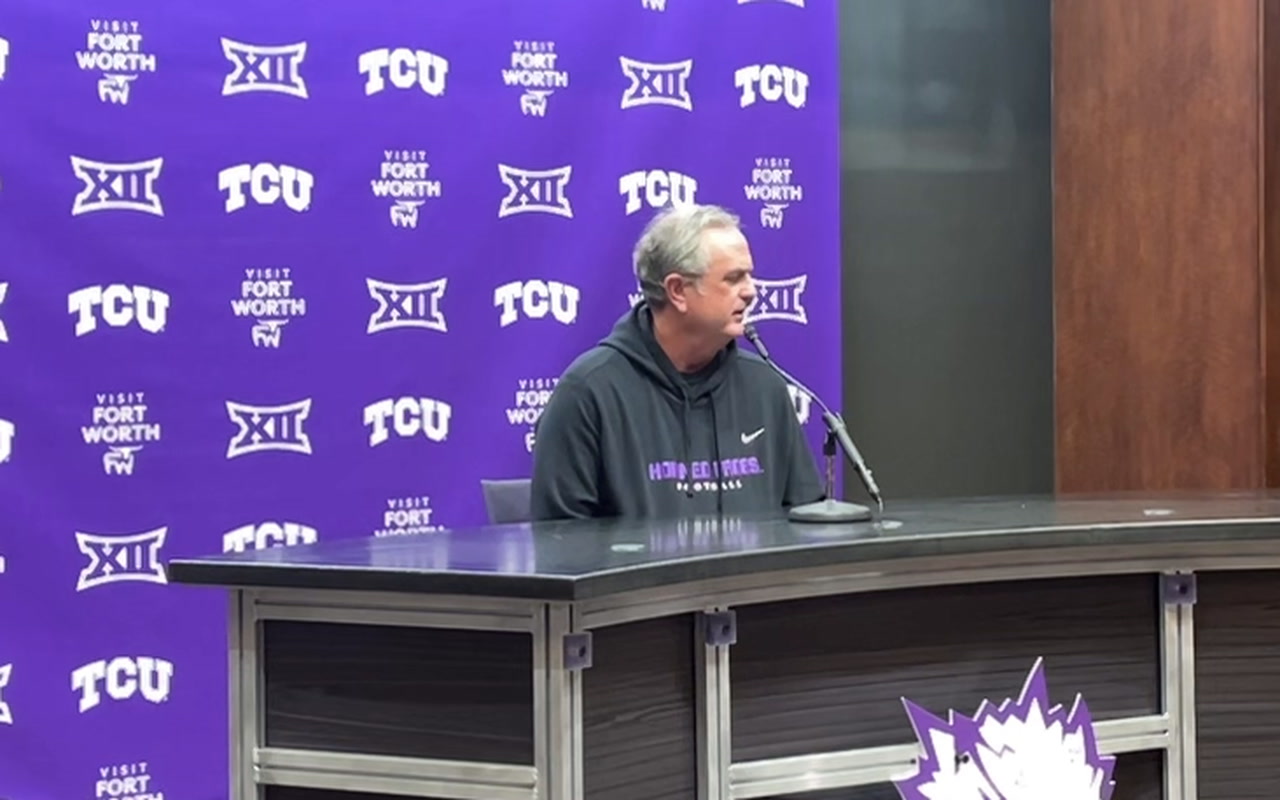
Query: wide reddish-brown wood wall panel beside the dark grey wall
[{"x": 1160, "y": 333}]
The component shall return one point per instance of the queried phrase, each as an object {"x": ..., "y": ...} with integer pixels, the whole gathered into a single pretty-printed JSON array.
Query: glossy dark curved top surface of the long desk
[{"x": 580, "y": 560}]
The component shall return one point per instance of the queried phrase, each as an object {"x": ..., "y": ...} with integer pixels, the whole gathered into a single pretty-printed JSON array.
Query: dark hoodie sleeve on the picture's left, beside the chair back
[{"x": 566, "y": 456}]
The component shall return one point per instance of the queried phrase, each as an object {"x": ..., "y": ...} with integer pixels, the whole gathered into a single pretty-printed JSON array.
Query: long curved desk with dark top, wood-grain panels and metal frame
[{"x": 719, "y": 659}]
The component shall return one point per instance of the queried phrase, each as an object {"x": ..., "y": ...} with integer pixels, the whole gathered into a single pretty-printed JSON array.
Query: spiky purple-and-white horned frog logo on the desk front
[{"x": 1017, "y": 751}]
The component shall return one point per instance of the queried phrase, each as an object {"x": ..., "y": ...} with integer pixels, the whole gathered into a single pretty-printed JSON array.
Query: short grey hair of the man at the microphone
[{"x": 673, "y": 243}]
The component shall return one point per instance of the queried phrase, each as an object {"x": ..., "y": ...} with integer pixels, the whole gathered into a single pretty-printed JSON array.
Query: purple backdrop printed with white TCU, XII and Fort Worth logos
[{"x": 277, "y": 272}]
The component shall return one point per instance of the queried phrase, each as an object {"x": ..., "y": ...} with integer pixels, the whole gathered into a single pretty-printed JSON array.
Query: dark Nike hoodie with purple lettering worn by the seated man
[{"x": 624, "y": 432}]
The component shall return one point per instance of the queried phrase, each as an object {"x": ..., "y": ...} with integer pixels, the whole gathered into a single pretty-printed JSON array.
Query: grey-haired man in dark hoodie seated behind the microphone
[{"x": 668, "y": 417}]
